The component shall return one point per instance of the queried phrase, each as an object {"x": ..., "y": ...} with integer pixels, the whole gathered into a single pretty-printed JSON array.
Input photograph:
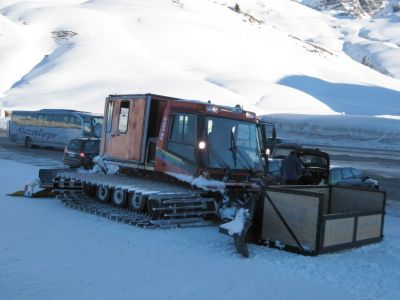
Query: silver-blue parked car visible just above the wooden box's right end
[{"x": 348, "y": 176}]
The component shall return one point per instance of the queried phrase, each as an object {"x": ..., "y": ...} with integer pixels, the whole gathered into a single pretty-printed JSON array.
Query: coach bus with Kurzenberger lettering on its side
[{"x": 52, "y": 127}]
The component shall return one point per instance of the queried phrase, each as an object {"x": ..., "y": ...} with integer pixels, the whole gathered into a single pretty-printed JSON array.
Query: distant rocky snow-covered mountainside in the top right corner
[{"x": 373, "y": 38}]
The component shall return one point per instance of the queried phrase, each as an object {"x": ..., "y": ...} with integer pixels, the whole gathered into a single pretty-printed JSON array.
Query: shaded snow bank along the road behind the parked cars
[{"x": 341, "y": 130}]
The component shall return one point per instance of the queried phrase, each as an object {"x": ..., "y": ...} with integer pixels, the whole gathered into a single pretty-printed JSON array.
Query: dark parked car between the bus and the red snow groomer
[{"x": 80, "y": 152}]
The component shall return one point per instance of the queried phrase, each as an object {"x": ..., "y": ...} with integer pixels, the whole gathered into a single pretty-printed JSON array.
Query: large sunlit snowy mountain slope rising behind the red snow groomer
[{"x": 74, "y": 53}]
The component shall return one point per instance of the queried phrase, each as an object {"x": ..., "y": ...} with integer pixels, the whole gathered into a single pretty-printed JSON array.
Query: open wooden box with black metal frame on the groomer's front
[{"x": 318, "y": 219}]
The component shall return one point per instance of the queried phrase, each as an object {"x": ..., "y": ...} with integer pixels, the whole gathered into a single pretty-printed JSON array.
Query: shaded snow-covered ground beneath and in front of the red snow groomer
[{"x": 48, "y": 251}]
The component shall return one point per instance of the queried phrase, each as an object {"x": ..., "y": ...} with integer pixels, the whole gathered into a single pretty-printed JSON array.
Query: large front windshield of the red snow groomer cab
[{"x": 232, "y": 144}]
